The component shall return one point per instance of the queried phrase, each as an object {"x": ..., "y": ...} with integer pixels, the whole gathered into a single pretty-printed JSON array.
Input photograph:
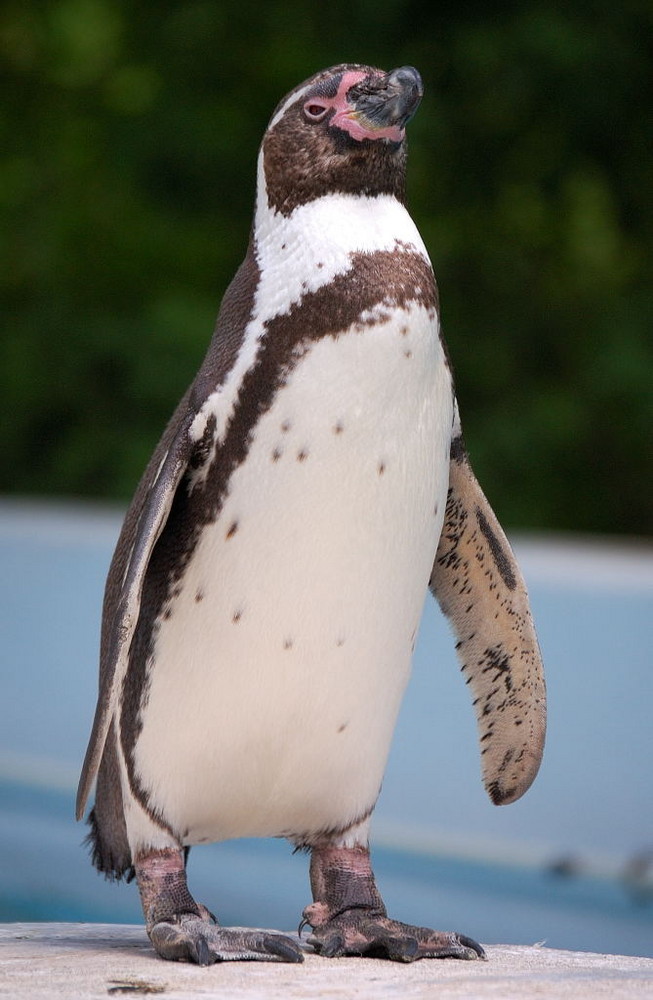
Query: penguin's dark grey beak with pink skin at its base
[{"x": 387, "y": 102}]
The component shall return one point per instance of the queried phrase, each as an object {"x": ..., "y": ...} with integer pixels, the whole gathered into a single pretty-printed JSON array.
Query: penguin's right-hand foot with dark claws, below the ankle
[{"x": 356, "y": 932}]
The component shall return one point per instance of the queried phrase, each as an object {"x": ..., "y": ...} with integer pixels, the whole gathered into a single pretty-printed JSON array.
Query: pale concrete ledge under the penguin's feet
[{"x": 99, "y": 960}]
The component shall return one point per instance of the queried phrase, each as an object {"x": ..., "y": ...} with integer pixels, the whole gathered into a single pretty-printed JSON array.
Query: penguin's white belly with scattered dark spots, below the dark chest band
[{"x": 278, "y": 668}]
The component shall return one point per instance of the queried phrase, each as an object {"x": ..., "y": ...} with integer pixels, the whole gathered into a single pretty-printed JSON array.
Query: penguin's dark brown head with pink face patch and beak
[{"x": 341, "y": 131}]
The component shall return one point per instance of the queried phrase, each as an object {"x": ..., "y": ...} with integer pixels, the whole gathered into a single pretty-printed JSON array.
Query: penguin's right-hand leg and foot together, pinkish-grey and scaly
[{"x": 348, "y": 916}]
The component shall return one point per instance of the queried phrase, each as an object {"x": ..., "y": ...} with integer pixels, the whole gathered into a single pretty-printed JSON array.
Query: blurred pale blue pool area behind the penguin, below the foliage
[{"x": 444, "y": 855}]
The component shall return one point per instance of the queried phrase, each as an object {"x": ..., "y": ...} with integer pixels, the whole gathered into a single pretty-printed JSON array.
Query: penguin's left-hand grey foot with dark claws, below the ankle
[{"x": 186, "y": 937}]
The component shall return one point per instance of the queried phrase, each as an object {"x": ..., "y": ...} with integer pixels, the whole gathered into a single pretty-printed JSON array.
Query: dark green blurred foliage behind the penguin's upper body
[{"x": 129, "y": 132}]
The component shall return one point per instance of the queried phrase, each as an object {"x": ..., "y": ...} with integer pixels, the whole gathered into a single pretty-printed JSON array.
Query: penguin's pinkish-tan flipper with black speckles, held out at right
[{"x": 478, "y": 584}]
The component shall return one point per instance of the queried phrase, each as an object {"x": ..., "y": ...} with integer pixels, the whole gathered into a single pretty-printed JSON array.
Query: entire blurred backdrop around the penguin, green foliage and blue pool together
[{"x": 127, "y": 163}]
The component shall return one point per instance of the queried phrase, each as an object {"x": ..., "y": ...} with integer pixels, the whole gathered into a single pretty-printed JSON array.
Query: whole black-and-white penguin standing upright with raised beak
[{"x": 262, "y": 603}]
